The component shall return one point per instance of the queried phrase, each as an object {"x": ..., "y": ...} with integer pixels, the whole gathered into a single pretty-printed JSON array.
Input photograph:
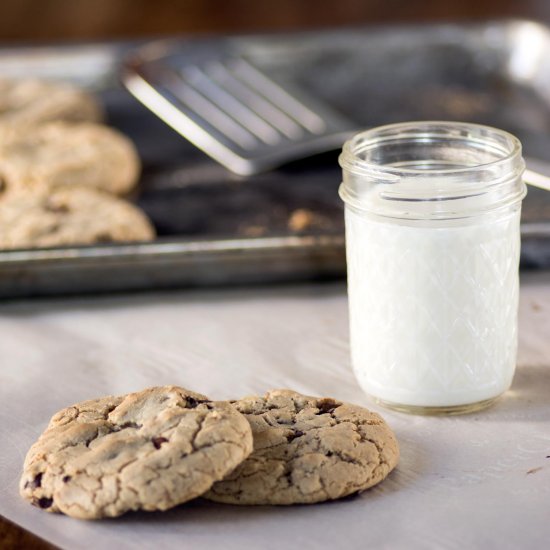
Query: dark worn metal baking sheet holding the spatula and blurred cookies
[{"x": 218, "y": 228}]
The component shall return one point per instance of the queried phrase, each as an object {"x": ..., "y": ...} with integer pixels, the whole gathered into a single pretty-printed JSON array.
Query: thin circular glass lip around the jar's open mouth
[{"x": 349, "y": 159}]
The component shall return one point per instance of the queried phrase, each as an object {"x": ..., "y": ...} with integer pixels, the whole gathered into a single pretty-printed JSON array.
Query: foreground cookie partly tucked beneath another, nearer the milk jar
[{"x": 307, "y": 449}]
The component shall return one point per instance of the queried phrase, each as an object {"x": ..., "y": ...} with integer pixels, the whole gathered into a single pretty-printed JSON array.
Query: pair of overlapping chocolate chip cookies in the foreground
[{"x": 163, "y": 446}]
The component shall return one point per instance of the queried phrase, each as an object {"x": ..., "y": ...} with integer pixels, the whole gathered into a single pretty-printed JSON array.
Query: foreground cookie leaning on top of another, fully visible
[{"x": 149, "y": 450}]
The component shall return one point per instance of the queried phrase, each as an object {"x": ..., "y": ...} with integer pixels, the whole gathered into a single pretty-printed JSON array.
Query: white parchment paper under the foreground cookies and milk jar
[{"x": 476, "y": 481}]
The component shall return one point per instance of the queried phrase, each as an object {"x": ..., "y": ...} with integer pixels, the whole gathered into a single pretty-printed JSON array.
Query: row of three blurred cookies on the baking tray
[{"x": 63, "y": 174}]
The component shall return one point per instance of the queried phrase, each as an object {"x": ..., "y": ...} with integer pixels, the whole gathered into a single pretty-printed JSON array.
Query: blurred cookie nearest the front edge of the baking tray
[{"x": 69, "y": 216}]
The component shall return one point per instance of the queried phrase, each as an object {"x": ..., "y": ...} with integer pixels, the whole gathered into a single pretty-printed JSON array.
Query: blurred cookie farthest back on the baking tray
[{"x": 25, "y": 103}]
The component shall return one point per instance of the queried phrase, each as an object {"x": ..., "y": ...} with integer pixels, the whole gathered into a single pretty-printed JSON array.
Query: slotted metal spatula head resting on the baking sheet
[{"x": 236, "y": 114}]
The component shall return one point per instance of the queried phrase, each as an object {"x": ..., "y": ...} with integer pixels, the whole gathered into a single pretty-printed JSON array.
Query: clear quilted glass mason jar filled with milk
[{"x": 432, "y": 238}]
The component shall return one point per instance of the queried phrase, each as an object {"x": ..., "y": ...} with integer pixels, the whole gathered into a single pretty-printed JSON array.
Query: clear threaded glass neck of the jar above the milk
[{"x": 432, "y": 170}]
